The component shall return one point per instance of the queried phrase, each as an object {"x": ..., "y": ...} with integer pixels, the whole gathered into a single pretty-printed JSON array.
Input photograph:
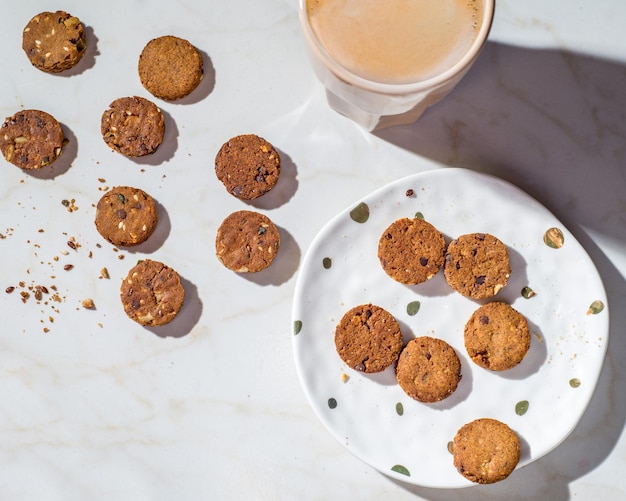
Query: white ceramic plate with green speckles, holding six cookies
[{"x": 542, "y": 399}]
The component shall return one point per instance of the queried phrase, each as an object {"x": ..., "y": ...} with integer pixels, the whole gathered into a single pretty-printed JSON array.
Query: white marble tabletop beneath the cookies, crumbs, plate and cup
[{"x": 210, "y": 407}]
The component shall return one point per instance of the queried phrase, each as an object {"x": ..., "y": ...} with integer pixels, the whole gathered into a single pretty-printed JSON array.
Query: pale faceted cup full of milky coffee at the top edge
[{"x": 383, "y": 62}]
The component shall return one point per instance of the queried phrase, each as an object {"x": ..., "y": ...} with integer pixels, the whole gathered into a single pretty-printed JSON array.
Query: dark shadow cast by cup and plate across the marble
[{"x": 551, "y": 122}]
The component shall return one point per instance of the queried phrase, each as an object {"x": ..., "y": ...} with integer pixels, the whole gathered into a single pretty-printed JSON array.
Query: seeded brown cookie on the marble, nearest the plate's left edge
[{"x": 247, "y": 241}]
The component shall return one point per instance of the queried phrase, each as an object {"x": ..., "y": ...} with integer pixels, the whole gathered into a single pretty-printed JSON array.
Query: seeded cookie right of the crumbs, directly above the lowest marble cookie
[{"x": 126, "y": 216}]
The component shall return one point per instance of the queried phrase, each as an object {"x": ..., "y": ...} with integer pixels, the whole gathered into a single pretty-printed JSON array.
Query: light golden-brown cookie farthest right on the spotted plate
[{"x": 497, "y": 336}]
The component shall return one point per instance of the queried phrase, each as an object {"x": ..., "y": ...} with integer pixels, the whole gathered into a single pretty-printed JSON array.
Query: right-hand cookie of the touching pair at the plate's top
[{"x": 477, "y": 265}]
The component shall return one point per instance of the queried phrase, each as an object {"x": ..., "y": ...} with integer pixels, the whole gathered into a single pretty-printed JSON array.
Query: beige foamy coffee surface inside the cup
[{"x": 395, "y": 41}]
